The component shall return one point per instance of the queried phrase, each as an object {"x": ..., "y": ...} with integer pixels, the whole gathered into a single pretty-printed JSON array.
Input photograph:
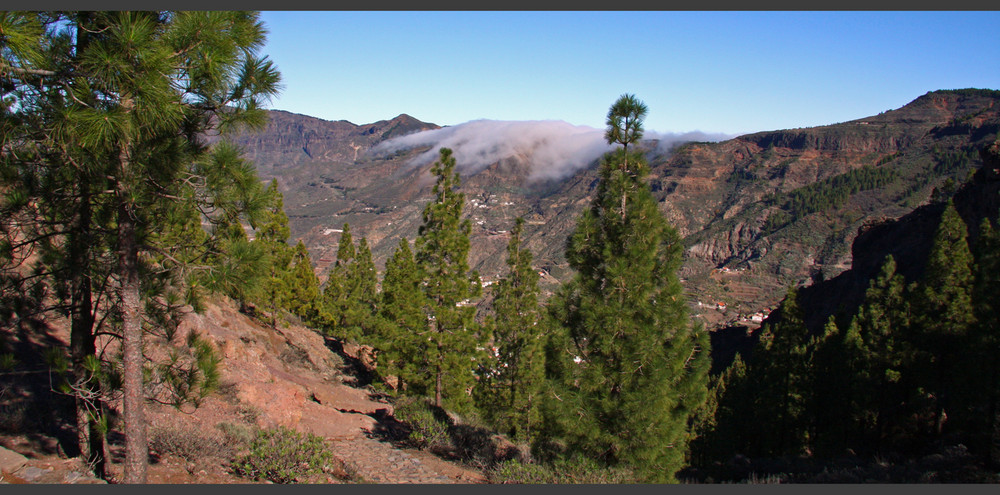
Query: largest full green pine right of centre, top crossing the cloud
[{"x": 643, "y": 367}]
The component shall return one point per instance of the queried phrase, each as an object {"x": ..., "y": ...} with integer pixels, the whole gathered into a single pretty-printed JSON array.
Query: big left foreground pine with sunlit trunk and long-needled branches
[{"x": 124, "y": 97}]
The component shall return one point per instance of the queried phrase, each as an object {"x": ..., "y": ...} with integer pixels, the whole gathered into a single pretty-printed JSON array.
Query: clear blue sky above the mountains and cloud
[{"x": 715, "y": 72}]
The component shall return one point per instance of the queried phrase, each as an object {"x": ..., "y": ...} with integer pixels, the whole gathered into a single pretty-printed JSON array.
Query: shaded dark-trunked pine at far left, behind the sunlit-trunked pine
[{"x": 33, "y": 54}]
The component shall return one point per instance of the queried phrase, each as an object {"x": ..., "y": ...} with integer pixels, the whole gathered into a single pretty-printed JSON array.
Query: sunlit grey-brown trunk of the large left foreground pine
[{"x": 136, "y": 448}]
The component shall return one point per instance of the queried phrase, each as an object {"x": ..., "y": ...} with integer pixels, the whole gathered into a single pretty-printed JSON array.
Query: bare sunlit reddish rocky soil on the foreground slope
[{"x": 284, "y": 377}]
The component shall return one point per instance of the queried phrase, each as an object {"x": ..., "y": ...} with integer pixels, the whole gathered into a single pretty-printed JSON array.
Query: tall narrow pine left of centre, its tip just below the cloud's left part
[{"x": 442, "y": 251}]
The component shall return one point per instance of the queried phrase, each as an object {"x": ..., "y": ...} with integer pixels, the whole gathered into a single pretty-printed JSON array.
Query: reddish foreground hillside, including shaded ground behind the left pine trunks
[{"x": 290, "y": 376}]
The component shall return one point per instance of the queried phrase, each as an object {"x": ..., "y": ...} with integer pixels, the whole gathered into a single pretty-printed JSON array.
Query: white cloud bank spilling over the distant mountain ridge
[{"x": 555, "y": 149}]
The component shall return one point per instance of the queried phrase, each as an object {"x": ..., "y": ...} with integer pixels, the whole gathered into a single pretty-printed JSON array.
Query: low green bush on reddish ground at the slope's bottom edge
[{"x": 283, "y": 455}]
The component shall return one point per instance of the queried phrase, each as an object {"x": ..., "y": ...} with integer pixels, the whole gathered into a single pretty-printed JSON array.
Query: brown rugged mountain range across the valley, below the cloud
[{"x": 758, "y": 212}]
